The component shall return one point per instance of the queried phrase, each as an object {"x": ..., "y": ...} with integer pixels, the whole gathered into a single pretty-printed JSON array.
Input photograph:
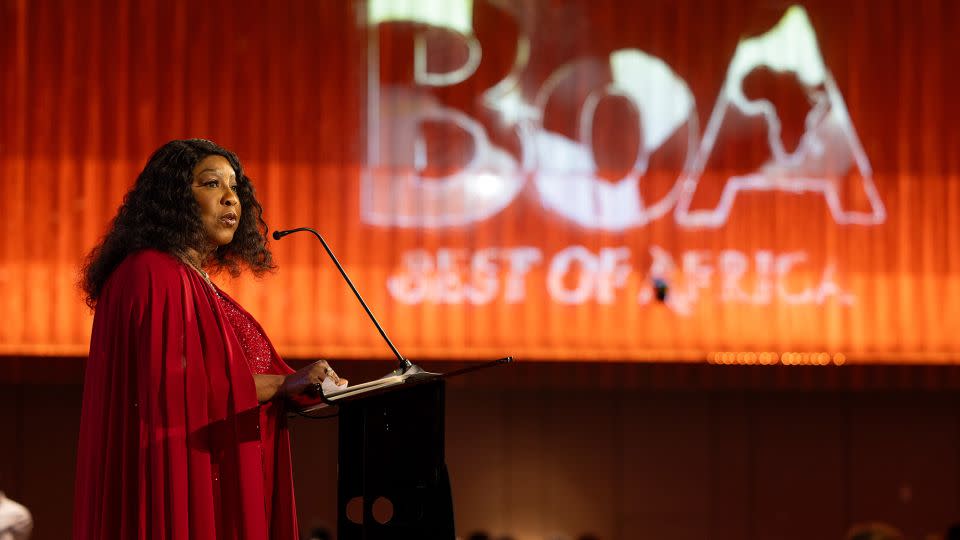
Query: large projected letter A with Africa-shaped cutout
[{"x": 828, "y": 154}]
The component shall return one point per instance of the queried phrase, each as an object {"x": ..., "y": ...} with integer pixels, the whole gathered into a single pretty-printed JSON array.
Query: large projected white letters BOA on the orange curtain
[{"x": 430, "y": 164}]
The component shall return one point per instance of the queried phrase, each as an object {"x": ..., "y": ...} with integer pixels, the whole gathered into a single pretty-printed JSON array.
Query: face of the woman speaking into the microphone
[{"x": 215, "y": 189}]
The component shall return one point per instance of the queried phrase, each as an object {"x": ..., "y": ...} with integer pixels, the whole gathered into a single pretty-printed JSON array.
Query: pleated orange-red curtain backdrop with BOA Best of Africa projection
[{"x": 515, "y": 179}]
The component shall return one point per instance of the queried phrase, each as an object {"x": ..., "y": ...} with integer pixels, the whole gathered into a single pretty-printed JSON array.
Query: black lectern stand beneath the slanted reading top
[{"x": 393, "y": 480}]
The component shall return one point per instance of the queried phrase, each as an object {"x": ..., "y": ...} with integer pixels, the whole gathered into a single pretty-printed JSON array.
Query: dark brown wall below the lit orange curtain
[{"x": 624, "y": 451}]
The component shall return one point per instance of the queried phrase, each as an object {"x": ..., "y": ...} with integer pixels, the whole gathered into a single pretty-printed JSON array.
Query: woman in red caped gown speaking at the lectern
[{"x": 183, "y": 431}]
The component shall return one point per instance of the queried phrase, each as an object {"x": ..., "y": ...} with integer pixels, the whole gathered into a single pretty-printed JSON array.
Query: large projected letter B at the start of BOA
[{"x": 429, "y": 164}]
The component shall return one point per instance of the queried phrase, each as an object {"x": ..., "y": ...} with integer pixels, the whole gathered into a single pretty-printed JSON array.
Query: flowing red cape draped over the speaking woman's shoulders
[{"x": 173, "y": 443}]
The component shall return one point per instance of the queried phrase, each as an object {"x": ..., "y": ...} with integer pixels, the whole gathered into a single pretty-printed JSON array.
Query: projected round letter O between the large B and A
[{"x": 567, "y": 174}]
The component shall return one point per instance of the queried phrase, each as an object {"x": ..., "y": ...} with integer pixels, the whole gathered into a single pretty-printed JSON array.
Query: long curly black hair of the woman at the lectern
[{"x": 160, "y": 212}]
